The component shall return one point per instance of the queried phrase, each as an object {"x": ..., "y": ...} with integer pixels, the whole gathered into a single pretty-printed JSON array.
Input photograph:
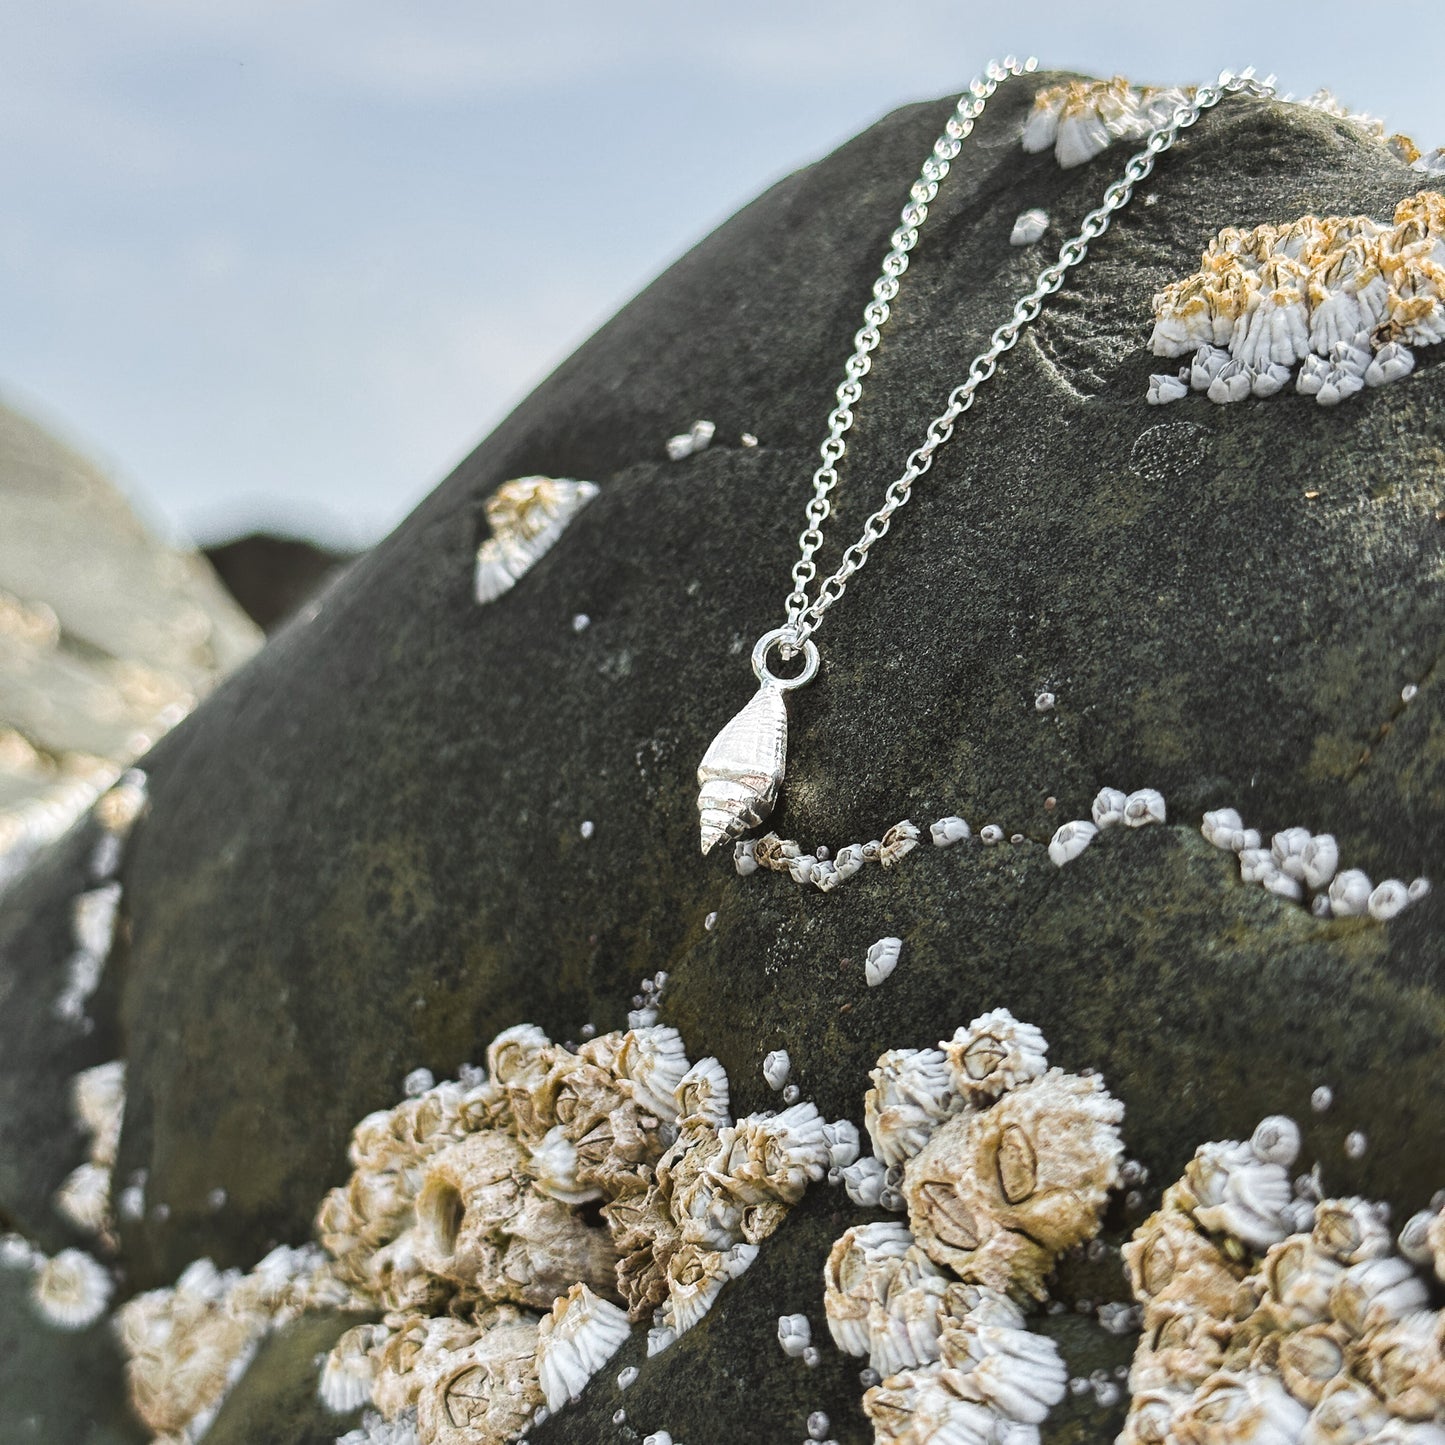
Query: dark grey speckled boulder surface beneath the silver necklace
[{"x": 366, "y": 855}]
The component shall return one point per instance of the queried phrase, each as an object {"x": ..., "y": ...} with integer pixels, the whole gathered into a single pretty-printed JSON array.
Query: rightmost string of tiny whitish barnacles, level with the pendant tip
[{"x": 1304, "y": 866}]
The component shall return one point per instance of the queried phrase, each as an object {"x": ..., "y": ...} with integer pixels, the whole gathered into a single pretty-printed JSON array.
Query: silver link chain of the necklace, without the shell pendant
[{"x": 804, "y": 613}]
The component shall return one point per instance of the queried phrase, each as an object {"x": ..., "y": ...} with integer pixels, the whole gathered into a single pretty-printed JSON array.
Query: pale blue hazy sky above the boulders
[{"x": 282, "y": 264}]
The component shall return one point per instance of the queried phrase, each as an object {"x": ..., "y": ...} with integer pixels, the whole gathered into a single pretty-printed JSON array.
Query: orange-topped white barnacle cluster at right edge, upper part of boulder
[{"x": 1346, "y": 297}]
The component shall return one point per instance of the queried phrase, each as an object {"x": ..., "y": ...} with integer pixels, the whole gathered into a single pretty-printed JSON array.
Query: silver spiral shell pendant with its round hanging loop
[{"x": 743, "y": 768}]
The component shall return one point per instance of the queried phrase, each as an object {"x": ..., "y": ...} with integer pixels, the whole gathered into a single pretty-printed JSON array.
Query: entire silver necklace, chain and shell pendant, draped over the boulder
[{"x": 742, "y": 771}]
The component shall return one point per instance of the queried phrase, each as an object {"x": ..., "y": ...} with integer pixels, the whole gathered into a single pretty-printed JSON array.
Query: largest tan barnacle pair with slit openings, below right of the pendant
[{"x": 996, "y": 1196}]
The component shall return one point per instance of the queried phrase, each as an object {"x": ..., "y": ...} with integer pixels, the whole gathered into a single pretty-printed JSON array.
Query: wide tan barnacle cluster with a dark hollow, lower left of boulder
[{"x": 509, "y": 1226}]
